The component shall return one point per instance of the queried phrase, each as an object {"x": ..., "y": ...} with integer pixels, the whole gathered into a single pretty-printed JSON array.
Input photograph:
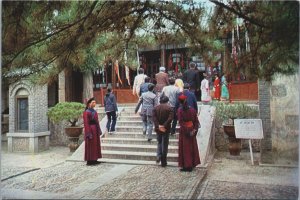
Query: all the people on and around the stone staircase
[{"x": 162, "y": 103}]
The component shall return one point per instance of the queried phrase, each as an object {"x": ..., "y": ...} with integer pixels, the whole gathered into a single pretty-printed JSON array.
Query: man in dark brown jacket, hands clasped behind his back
[{"x": 162, "y": 118}]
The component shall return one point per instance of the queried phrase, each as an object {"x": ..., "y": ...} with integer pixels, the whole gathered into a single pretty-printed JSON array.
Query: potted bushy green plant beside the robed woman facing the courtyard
[{"x": 68, "y": 112}]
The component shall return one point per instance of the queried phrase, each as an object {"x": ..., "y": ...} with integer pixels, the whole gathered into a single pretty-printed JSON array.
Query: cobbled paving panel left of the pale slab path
[{"x": 57, "y": 179}]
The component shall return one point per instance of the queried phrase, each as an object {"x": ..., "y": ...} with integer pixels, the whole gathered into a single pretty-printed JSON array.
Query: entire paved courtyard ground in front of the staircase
[{"x": 48, "y": 176}]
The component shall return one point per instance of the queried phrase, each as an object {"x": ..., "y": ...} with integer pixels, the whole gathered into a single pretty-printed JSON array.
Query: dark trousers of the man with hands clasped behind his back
[{"x": 162, "y": 146}]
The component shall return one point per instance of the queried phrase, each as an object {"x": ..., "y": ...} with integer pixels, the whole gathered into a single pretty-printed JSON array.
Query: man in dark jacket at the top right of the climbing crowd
[{"x": 191, "y": 76}]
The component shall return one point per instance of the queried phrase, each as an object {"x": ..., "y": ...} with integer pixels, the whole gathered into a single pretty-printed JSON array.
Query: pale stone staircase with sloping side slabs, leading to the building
[{"x": 130, "y": 146}]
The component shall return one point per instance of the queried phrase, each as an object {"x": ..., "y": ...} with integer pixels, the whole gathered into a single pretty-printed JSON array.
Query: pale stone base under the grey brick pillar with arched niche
[{"x": 28, "y": 142}]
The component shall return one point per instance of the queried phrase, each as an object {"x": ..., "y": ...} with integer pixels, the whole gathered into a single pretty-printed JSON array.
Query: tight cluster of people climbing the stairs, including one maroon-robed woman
[{"x": 164, "y": 103}]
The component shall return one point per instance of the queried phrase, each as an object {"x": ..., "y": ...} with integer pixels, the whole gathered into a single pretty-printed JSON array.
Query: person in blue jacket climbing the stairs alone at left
[{"x": 111, "y": 110}]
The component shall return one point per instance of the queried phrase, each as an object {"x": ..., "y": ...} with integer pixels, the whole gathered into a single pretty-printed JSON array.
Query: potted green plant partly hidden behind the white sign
[{"x": 226, "y": 113}]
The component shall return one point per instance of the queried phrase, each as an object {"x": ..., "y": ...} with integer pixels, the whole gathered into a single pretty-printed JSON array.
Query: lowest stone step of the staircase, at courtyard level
[{"x": 135, "y": 162}]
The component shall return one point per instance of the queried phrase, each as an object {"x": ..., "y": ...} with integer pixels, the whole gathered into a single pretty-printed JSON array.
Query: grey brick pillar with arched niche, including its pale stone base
[{"x": 36, "y": 137}]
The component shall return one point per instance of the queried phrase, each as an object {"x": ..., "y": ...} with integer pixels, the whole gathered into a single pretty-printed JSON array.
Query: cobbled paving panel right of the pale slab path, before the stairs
[{"x": 151, "y": 182}]
